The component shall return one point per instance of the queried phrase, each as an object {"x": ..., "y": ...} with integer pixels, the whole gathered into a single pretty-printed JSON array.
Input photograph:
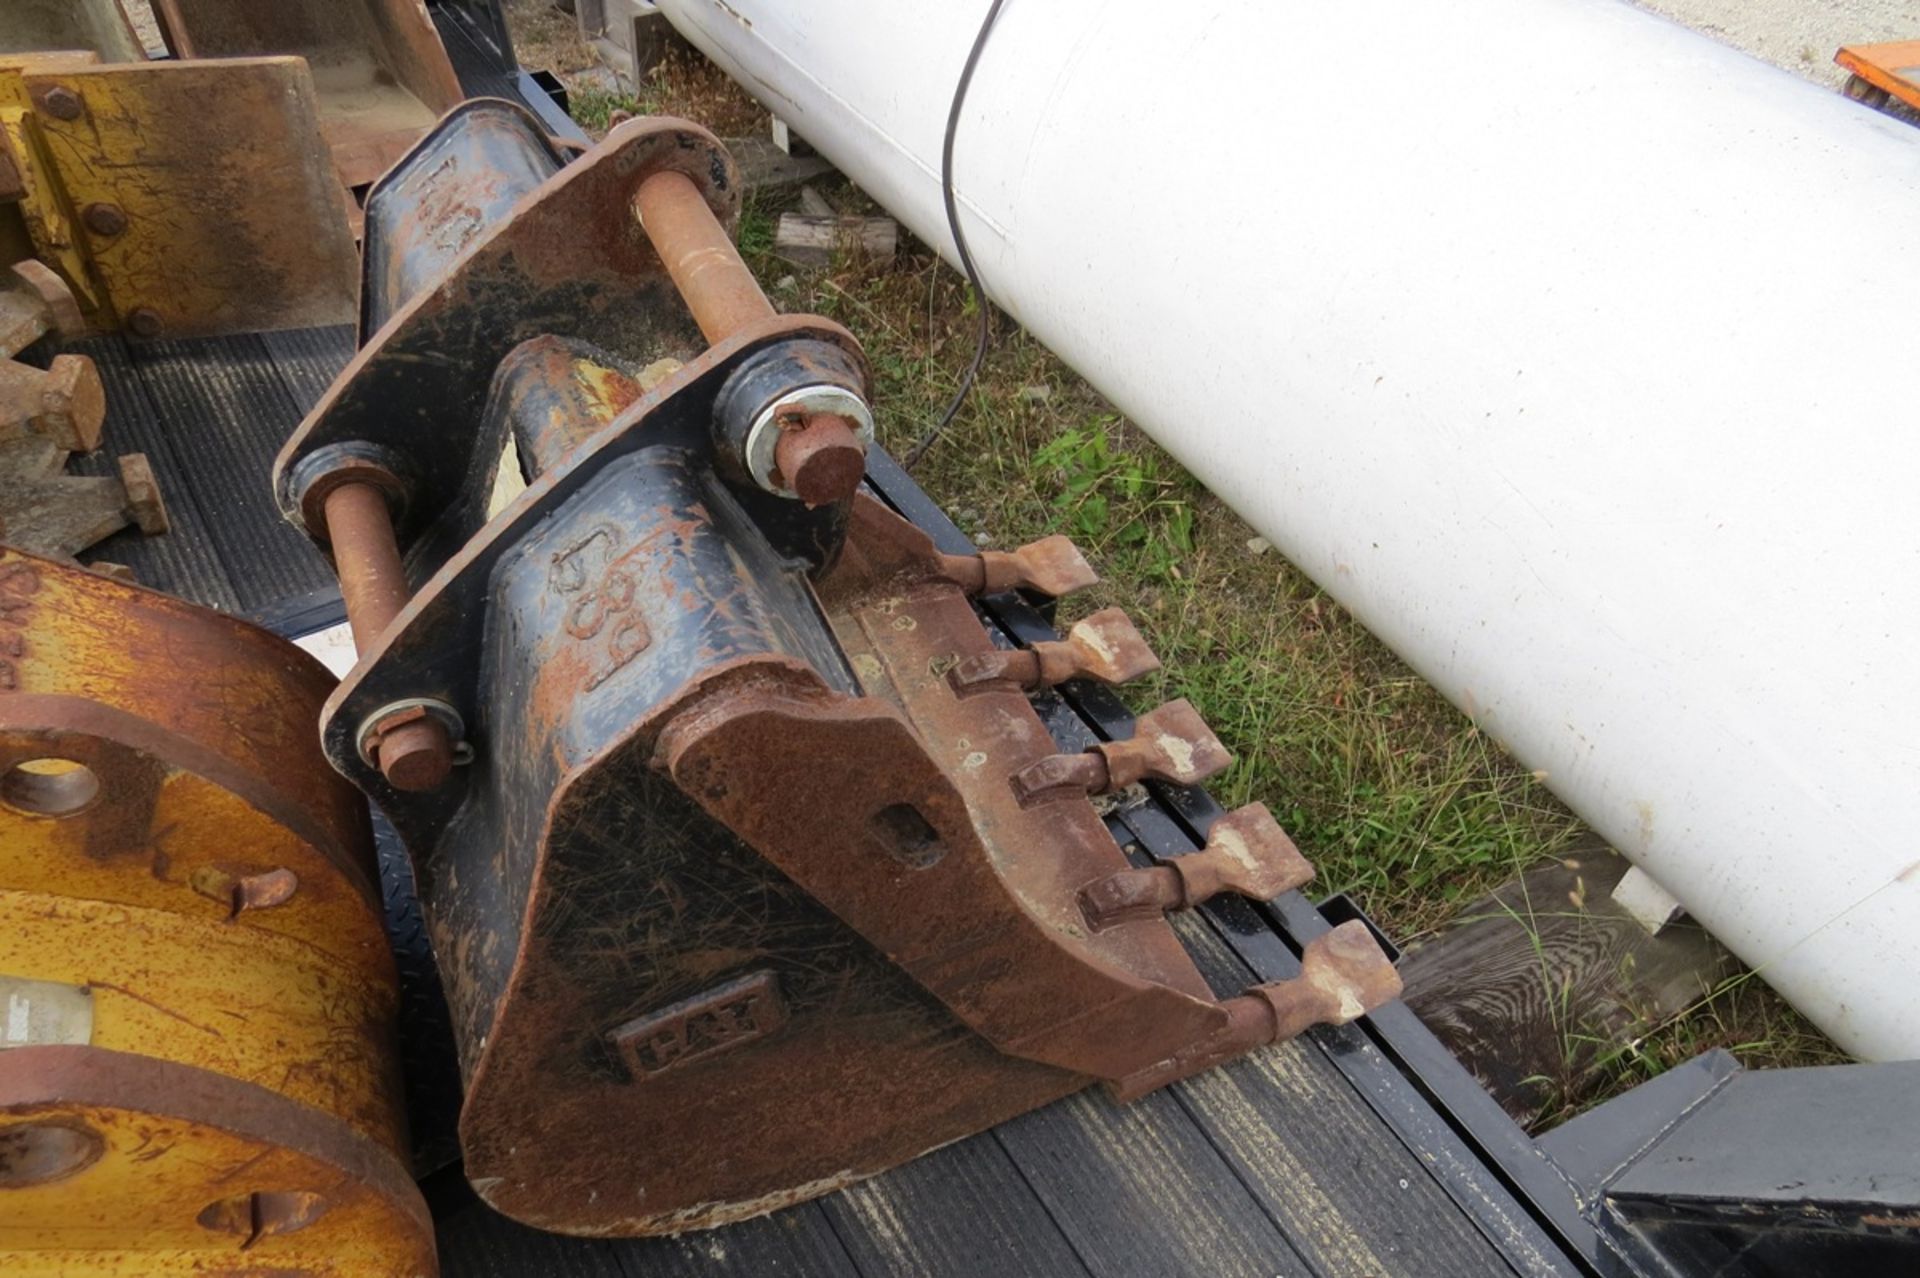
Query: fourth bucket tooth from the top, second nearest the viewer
[{"x": 1247, "y": 853}]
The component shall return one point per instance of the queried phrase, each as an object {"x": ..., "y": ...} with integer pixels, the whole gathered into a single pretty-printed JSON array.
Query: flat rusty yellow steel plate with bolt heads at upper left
[{"x": 176, "y": 199}]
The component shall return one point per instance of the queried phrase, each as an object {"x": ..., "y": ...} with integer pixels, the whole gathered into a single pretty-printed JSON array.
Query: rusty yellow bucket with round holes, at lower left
[{"x": 197, "y": 1064}]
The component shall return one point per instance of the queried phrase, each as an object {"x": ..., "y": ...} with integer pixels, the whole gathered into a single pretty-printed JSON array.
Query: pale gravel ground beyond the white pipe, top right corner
[{"x": 1798, "y": 35}]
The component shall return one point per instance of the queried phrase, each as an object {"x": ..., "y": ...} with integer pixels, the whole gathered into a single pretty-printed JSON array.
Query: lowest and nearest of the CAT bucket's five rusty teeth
[{"x": 1343, "y": 978}]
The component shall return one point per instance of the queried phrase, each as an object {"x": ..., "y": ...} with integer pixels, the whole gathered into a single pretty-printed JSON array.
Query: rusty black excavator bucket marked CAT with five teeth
[{"x": 738, "y": 895}]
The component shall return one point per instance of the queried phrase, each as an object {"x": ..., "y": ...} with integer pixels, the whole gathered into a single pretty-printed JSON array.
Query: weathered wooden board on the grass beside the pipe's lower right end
[{"x": 1535, "y": 980}]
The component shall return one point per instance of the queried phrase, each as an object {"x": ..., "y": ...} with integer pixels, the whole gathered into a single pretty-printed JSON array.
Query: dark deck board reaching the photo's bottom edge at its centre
[{"x": 953, "y": 1214}]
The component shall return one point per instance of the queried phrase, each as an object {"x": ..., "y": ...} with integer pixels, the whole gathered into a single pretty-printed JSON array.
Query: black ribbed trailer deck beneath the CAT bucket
[{"x": 1360, "y": 1150}]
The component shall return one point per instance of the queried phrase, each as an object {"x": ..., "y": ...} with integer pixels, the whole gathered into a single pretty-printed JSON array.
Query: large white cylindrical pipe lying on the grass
[{"x": 1560, "y": 344}]
